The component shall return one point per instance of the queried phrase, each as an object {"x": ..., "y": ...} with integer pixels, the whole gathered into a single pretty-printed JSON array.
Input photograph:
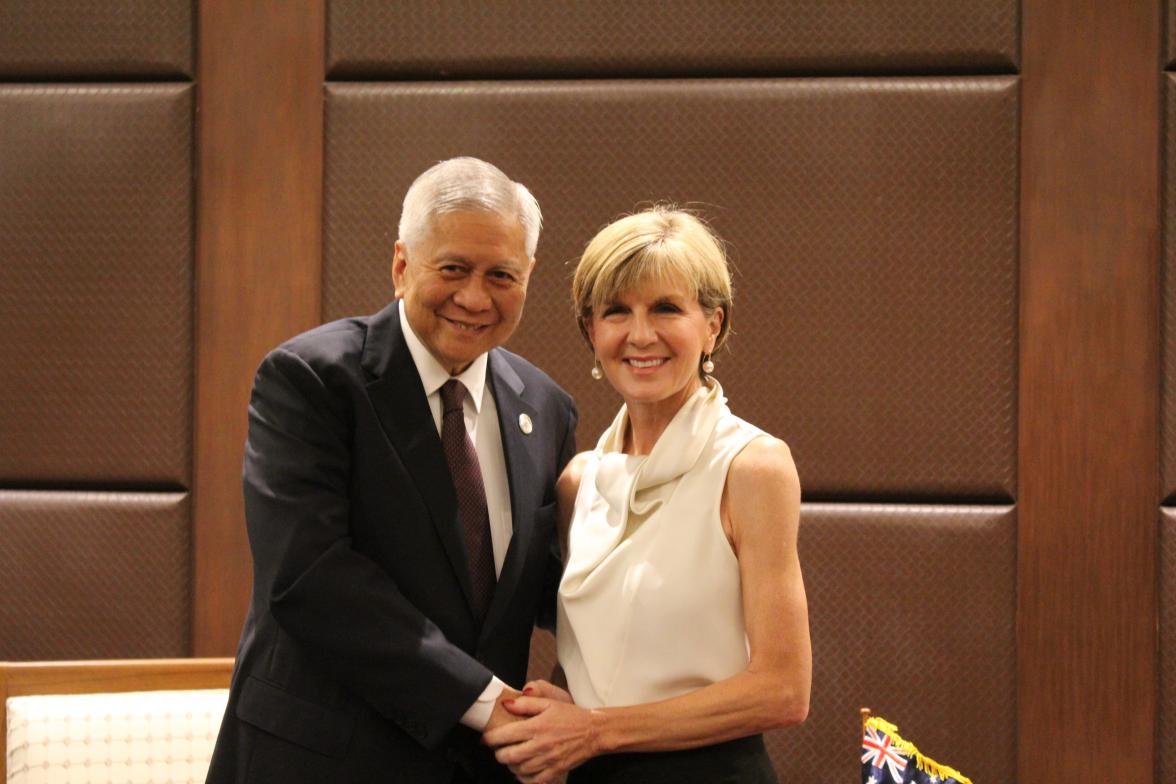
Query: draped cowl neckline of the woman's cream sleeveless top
[{"x": 636, "y": 487}]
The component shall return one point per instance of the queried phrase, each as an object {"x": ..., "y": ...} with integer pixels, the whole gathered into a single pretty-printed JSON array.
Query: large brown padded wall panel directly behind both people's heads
[{"x": 872, "y": 223}]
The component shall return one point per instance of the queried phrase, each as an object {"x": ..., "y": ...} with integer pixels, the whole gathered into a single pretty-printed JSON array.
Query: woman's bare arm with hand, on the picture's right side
[{"x": 761, "y": 514}]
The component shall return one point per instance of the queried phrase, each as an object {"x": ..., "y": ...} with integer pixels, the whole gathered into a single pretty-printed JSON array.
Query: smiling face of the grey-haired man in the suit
[{"x": 465, "y": 284}]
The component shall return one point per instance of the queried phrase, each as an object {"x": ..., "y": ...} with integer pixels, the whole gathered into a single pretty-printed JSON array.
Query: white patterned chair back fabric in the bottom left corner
[{"x": 145, "y": 738}]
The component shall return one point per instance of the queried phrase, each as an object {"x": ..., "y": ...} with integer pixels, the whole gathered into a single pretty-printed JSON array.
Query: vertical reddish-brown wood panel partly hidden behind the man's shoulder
[{"x": 259, "y": 260}]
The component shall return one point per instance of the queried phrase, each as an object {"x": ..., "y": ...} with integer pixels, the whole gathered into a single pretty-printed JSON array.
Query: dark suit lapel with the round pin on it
[{"x": 522, "y": 453}]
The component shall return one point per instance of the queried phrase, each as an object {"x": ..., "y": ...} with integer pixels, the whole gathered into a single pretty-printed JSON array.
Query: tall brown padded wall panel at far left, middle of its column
[{"x": 96, "y": 284}]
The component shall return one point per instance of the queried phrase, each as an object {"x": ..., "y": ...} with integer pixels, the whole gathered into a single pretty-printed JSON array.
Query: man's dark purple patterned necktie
[{"x": 467, "y": 483}]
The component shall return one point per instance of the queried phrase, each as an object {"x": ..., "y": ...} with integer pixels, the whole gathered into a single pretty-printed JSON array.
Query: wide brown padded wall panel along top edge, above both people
[{"x": 611, "y": 38}]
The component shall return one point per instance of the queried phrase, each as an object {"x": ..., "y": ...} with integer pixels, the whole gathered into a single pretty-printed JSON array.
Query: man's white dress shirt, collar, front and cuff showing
[{"x": 483, "y": 426}]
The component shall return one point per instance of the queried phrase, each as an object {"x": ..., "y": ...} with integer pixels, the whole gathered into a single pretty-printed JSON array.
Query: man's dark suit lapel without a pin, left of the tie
[{"x": 404, "y": 412}]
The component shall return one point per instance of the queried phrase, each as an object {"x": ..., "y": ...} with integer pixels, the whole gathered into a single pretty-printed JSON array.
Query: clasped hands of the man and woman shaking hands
[{"x": 540, "y": 734}]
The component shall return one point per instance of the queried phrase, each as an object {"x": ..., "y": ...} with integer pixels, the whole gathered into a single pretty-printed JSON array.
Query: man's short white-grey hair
[{"x": 464, "y": 184}]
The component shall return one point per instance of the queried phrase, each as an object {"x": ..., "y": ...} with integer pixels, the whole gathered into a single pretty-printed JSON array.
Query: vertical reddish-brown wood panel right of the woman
[{"x": 1088, "y": 399}]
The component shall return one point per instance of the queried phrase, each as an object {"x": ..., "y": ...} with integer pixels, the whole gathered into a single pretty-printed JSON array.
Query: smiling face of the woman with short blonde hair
[{"x": 650, "y": 343}]
